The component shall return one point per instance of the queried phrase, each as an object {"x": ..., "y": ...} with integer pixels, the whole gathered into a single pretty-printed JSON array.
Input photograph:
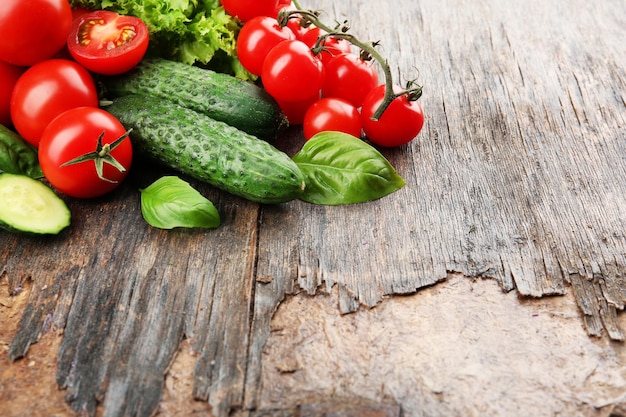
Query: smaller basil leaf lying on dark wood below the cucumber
[{"x": 170, "y": 202}]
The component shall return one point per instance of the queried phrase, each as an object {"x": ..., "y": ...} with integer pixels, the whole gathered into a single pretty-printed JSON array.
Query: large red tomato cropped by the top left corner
[{"x": 33, "y": 30}]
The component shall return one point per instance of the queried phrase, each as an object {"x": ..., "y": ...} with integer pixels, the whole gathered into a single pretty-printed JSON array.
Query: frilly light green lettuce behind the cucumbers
[{"x": 189, "y": 31}]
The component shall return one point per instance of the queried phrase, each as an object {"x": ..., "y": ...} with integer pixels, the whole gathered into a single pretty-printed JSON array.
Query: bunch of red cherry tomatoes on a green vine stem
[{"x": 323, "y": 77}]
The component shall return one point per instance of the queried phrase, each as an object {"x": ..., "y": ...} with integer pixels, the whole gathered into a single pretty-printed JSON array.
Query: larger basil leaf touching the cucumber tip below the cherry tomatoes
[{"x": 342, "y": 169}]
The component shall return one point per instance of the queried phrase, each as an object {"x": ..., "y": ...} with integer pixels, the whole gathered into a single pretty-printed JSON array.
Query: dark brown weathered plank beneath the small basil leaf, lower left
[{"x": 126, "y": 306}]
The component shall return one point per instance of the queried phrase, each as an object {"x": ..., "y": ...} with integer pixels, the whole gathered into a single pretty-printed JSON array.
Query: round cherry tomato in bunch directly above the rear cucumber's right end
[{"x": 291, "y": 72}]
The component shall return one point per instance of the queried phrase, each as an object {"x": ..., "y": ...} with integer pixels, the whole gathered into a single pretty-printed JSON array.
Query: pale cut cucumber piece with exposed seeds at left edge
[{"x": 28, "y": 205}]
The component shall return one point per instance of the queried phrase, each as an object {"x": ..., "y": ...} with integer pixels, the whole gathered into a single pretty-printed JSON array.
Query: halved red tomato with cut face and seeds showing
[{"x": 107, "y": 43}]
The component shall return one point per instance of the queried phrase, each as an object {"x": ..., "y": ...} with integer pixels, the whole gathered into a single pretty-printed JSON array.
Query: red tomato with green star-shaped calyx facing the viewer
[{"x": 75, "y": 134}]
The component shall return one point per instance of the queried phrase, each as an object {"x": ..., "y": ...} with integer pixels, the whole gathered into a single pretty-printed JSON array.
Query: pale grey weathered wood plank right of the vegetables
[{"x": 508, "y": 176}]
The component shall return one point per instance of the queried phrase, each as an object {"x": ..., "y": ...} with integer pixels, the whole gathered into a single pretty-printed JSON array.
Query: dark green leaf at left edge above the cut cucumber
[{"x": 18, "y": 156}]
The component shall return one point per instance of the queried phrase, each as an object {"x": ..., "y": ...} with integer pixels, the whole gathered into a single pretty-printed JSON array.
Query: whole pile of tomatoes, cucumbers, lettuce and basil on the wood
[{"x": 203, "y": 88}]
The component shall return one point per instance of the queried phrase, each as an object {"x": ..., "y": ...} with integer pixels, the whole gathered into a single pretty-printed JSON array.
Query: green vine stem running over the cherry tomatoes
[{"x": 413, "y": 91}]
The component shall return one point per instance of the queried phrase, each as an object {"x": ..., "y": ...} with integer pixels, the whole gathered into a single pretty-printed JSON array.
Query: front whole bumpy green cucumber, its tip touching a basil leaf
[{"x": 208, "y": 150}]
